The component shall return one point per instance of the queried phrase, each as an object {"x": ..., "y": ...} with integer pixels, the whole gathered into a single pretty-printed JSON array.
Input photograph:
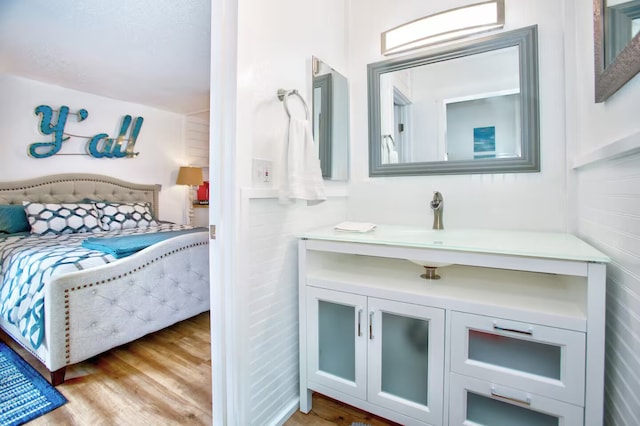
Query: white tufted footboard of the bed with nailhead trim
[{"x": 89, "y": 312}]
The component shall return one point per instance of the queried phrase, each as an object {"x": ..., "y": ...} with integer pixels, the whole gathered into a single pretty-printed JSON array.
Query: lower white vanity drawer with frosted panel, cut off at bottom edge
[{"x": 477, "y": 402}]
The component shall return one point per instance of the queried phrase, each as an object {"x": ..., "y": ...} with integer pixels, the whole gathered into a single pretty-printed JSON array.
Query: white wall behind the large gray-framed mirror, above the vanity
[{"x": 523, "y": 201}]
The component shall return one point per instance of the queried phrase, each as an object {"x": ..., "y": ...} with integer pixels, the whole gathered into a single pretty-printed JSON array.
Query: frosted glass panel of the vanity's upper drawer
[{"x": 518, "y": 354}]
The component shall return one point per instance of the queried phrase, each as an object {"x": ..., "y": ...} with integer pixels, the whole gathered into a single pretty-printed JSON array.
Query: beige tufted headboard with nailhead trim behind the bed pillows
[{"x": 75, "y": 187}]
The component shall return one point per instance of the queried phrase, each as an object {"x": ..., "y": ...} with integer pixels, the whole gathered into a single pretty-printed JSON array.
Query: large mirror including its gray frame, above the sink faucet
[{"x": 467, "y": 108}]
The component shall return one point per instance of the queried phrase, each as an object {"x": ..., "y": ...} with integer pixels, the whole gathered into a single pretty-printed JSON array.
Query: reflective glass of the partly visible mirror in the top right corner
[{"x": 621, "y": 26}]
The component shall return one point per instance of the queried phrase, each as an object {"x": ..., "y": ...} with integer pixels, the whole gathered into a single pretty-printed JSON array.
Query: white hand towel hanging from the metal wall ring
[{"x": 302, "y": 178}]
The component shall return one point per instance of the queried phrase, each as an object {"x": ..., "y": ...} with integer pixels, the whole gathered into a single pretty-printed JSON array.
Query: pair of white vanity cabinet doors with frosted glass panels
[{"x": 376, "y": 351}]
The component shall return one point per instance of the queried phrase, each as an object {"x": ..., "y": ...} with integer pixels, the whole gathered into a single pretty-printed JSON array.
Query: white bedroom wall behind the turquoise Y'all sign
[{"x": 160, "y": 141}]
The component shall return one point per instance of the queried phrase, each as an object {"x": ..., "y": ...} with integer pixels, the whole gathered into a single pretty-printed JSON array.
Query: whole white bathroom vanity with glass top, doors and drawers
[{"x": 513, "y": 332}]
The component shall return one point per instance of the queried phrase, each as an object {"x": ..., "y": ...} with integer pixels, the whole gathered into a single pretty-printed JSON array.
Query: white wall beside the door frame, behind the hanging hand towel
[{"x": 276, "y": 41}]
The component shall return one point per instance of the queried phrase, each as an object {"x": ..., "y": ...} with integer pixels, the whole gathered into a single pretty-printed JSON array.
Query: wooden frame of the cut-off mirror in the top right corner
[{"x": 624, "y": 67}]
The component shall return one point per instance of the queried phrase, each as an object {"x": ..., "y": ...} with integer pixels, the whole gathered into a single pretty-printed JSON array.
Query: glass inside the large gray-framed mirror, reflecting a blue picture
[{"x": 462, "y": 109}]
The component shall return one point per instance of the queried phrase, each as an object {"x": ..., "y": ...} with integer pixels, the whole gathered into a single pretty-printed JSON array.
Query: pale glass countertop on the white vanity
[{"x": 550, "y": 245}]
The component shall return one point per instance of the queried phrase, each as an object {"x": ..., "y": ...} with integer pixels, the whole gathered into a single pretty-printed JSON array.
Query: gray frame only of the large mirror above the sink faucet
[{"x": 527, "y": 41}]
